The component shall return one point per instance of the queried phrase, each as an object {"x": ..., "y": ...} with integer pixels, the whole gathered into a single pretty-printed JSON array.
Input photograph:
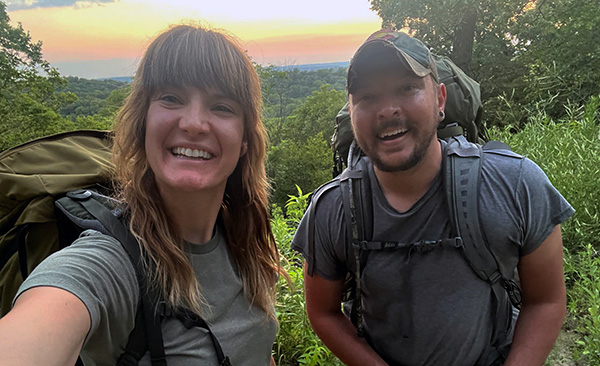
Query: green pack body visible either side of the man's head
[{"x": 463, "y": 113}]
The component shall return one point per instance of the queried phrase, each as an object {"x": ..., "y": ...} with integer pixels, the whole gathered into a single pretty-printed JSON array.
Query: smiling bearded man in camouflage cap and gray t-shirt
[{"x": 428, "y": 307}]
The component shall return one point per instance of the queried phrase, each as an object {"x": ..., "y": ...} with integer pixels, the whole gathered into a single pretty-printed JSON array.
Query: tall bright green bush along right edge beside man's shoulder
[{"x": 569, "y": 152}]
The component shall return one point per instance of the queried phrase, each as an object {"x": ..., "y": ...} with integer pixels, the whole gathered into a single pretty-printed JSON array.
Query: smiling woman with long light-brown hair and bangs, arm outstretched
[{"x": 189, "y": 151}]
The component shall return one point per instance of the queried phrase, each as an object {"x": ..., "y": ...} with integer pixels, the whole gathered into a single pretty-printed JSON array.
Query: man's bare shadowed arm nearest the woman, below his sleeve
[{"x": 331, "y": 325}]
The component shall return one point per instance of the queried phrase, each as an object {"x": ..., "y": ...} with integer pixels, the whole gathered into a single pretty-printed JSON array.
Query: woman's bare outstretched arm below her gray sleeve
[{"x": 47, "y": 326}]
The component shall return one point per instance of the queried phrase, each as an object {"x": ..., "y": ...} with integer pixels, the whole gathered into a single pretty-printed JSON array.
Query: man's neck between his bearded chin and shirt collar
[{"x": 403, "y": 189}]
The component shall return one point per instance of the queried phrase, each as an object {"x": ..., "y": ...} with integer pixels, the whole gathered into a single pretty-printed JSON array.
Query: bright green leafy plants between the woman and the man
[{"x": 296, "y": 343}]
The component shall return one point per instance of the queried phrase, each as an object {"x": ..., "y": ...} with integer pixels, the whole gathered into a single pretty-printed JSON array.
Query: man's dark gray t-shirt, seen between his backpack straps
[{"x": 423, "y": 304}]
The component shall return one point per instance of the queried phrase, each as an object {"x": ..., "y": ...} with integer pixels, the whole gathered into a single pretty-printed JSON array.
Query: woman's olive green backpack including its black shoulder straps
[{"x": 51, "y": 189}]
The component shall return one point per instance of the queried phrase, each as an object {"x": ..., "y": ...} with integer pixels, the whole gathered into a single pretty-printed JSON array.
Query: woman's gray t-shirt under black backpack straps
[{"x": 96, "y": 269}]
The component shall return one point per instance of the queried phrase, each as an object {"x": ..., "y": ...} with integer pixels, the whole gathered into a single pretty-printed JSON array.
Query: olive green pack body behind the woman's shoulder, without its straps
[{"x": 32, "y": 175}]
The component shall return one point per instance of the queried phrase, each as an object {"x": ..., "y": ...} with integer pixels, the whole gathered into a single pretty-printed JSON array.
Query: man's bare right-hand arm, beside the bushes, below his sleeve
[{"x": 544, "y": 303}]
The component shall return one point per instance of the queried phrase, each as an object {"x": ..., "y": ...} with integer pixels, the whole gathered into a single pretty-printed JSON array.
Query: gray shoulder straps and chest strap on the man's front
[{"x": 462, "y": 170}]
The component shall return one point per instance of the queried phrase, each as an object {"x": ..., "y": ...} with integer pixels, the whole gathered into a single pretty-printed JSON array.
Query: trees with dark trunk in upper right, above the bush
[{"x": 527, "y": 55}]
